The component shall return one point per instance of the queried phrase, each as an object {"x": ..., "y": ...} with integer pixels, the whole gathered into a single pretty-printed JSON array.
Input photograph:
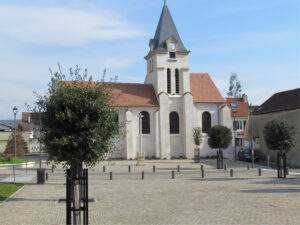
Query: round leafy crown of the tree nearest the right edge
[{"x": 279, "y": 135}]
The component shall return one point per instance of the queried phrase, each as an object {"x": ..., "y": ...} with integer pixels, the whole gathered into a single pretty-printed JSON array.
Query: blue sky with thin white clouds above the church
[{"x": 257, "y": 39}]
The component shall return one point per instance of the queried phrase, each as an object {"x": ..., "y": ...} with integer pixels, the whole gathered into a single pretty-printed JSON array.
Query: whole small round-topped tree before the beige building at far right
[{"x": 280, "y": 136}]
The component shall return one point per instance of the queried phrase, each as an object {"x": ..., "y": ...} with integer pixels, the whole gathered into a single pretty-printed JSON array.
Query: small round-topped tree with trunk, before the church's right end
[{"x": 219, "y": 138}]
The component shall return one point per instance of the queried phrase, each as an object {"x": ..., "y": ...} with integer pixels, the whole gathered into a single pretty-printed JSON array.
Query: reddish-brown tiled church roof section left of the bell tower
[{"x": 133, "y": 95}]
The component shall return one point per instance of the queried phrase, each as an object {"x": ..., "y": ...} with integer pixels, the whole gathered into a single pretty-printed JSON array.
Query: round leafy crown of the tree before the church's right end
[{"x": 219, "y": 137}]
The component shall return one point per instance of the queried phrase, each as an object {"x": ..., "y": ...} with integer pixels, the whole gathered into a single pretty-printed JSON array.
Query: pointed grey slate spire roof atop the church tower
[{"x": 166, "y": 30}]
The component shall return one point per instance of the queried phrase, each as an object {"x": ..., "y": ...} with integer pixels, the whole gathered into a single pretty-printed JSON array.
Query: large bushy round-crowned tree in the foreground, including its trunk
[{"x": 77, "y": 124}]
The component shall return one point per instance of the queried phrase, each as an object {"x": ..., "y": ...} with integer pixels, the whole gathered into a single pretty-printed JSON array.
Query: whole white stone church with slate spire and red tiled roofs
[{"x": 159, "y": 116}]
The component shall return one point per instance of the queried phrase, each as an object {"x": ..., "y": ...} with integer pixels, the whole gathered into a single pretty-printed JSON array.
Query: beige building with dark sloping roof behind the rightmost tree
[{"x": 282, "y": 106}]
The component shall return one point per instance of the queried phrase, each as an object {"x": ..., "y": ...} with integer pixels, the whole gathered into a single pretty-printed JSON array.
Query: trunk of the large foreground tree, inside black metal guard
[{"x": 76, "y": 170}]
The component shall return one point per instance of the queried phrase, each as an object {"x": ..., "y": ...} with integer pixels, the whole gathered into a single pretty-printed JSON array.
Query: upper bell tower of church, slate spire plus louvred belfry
[{"x": 167, "y": 60}]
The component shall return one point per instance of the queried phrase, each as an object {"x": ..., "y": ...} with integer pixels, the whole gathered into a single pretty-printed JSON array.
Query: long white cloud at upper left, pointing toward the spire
[{"x": 63, "y": 26}]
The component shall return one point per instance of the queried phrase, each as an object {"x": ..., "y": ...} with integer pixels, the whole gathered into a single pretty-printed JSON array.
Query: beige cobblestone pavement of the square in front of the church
[{"x": 159, "y": 200}]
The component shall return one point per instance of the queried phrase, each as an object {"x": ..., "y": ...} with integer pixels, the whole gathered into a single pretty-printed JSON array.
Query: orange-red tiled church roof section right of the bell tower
[{"x": 204, "y": 89}]
